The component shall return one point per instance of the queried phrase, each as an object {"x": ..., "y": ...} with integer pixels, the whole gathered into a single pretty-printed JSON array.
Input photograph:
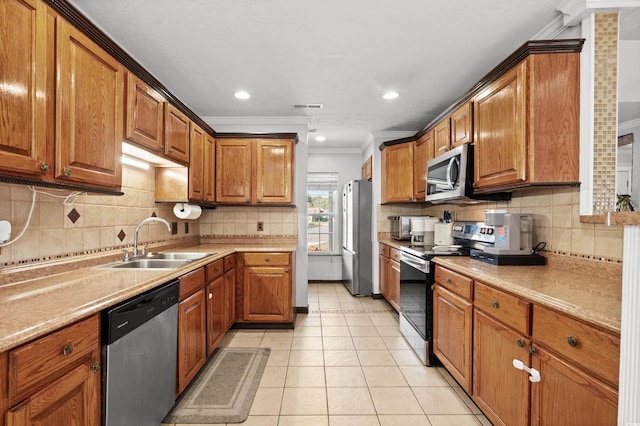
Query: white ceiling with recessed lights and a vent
[{"x": 343, "y": 54}]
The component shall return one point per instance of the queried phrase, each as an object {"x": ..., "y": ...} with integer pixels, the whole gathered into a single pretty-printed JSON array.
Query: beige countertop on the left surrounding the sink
[{"x": 31, "y": 307}]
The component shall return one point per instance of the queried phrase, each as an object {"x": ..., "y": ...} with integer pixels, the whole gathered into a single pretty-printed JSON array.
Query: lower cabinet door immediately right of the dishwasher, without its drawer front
[{"x": 192, "y": 342}]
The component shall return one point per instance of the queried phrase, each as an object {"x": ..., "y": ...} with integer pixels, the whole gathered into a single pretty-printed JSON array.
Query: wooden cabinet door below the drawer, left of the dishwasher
[{"x": 73, "y": 399}]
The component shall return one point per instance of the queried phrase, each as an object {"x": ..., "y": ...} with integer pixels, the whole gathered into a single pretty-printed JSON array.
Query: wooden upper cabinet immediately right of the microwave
[{"x": 526, "y": 124}]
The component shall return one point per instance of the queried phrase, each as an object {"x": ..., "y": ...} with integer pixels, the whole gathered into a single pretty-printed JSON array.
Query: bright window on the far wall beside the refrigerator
[{"x": 322, "y": 209}]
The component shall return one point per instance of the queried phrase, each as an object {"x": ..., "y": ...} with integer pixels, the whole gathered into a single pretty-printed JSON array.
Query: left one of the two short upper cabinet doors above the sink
[{"x": 145, "y": 114}]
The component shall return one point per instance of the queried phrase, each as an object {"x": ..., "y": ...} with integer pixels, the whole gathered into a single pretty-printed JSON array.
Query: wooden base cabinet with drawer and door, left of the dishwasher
[{"x": 55, "y": 380}]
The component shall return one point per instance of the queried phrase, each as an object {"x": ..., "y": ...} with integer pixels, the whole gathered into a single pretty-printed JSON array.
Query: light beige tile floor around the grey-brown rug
[{"x": 345, "y": 363}]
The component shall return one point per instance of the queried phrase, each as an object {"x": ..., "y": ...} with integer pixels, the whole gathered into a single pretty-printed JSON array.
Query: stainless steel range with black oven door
[{"x": 417, "y": 279}]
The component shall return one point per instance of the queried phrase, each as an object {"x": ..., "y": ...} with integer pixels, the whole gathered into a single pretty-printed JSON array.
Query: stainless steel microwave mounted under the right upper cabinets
[{"x": 450, "y": 179}]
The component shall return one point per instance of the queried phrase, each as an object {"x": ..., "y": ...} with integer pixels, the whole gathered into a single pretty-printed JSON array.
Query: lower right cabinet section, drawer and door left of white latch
[{"x": 501, "y": 325}]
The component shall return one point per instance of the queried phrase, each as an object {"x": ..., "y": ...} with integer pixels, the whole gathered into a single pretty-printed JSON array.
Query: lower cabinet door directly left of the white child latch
[{"x": 495, "y": 346}]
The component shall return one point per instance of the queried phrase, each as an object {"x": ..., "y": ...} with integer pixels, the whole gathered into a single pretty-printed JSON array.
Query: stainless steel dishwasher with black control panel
[{"x": 139, "y": 351}]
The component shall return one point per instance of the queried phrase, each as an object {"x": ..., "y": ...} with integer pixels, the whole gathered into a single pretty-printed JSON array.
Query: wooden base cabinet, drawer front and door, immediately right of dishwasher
[{"x": 192, "y": 328}]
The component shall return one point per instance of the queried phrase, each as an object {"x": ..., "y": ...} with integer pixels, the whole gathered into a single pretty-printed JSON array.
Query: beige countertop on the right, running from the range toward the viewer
[{"x": 595, "y": 298}]
